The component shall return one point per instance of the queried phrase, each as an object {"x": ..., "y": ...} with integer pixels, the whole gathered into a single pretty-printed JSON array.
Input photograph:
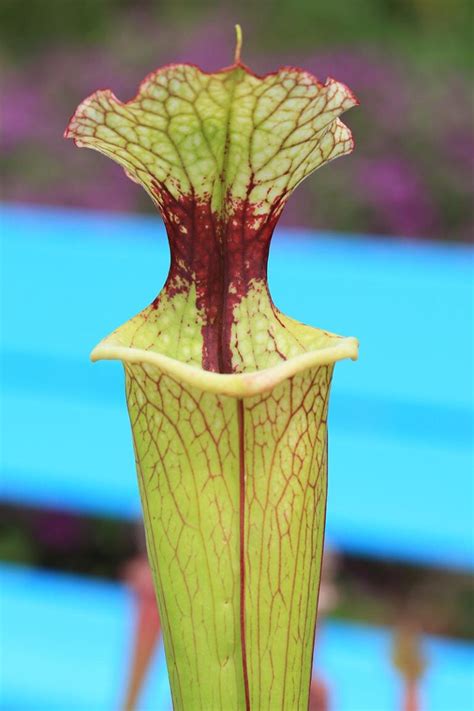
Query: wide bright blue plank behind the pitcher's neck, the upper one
[{"x": 401, "y": 417}]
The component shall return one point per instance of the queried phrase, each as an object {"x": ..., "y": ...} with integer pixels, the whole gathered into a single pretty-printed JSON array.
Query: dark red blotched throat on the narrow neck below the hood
[{"x": 221, "y": 255}]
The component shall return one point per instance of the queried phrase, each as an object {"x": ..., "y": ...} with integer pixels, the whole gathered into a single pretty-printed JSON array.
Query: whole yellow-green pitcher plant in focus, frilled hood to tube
[{"x": 227, "y": 396}]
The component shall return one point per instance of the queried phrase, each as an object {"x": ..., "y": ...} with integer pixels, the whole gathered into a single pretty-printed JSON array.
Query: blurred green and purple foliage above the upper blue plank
[{"x": 408, "y": 62}]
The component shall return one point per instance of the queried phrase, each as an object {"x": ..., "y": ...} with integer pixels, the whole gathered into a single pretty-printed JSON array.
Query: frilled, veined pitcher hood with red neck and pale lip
[{"x": 219, "y": 154}]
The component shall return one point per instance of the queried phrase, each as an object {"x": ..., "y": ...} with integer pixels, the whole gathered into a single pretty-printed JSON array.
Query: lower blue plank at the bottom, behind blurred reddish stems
[{"x": 68, "y": 639}]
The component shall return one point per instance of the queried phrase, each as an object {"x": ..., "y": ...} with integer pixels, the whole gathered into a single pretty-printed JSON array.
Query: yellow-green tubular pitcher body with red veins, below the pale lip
[{"x": 234, "y": 496}]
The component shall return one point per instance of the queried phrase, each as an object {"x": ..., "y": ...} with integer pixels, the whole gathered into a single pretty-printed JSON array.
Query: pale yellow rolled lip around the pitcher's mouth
[{"x": 239, "y": 385}]
